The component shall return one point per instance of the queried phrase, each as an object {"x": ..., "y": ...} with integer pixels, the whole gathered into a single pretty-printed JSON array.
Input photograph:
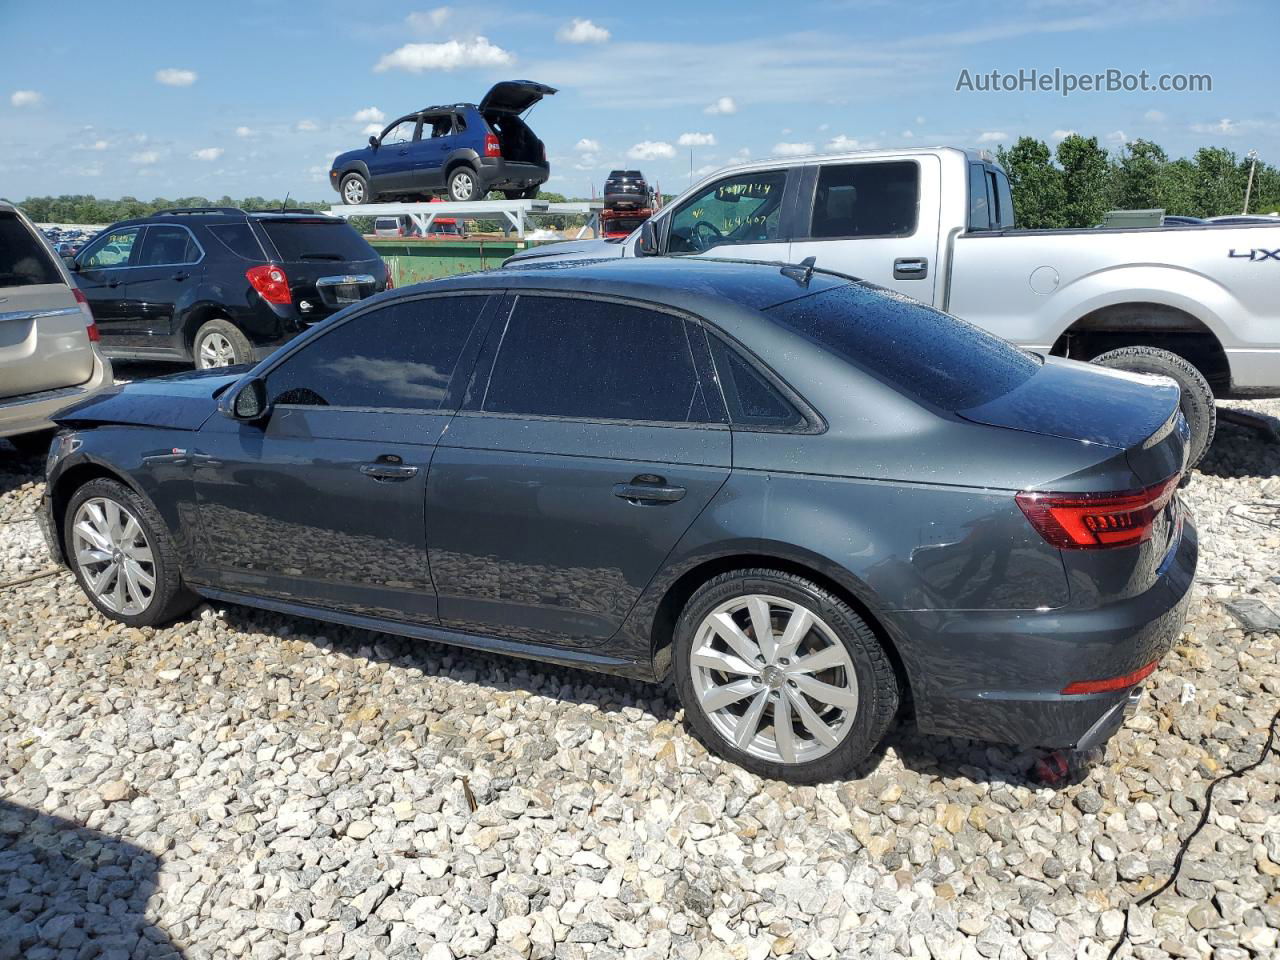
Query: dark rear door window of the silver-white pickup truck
[{"x": 867, "y": 200}]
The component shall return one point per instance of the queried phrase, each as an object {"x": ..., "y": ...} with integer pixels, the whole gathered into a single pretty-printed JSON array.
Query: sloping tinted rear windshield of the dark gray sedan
[{"x": 931, "y": 356}]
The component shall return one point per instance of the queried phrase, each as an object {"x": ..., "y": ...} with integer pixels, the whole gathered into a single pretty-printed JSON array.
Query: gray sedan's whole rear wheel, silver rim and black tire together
[{"x": 781, "y": 676}]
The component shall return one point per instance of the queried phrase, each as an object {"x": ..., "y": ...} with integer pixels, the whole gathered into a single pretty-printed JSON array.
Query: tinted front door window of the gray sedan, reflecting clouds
[{"x": 400, "y": 356}]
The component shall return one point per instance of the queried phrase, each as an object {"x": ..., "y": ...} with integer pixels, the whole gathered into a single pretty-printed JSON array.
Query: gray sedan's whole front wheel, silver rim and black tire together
[{"x": 122, "y": 556}]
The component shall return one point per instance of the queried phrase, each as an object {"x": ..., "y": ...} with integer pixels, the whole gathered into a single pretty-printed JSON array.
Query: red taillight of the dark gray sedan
[{"x": 1082, "y": 522}]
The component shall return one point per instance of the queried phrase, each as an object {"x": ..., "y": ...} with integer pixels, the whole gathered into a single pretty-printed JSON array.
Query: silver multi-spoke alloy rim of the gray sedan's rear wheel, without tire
[{"x": 774, "y": 679}]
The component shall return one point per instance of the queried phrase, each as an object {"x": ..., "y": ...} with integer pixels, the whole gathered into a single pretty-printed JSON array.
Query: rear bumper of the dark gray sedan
[{"x": 999, "y": 675}]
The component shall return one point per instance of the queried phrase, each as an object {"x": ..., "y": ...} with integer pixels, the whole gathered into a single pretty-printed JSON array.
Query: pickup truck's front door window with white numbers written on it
[{"x": 743, "y": 209}]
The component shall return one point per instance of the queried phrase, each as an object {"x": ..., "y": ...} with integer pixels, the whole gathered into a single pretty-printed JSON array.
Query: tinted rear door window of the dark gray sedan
[{"x": 596, "y": 360}]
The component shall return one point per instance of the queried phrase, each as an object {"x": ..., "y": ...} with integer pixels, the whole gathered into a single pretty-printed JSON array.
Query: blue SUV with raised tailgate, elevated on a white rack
[{"x": 460, "y": 152}]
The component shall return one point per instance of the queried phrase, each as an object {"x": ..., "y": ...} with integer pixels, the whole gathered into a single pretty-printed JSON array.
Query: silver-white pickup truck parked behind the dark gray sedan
[{"x": 1200, "y": 304}]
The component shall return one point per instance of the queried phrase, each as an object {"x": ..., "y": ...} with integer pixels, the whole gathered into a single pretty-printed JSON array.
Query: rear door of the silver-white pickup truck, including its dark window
[{"x": 874, "y": 220}]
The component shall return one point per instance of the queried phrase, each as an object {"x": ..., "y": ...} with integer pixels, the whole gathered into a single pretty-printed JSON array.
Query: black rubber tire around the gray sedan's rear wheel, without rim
[{"x": 879, "y": 693}]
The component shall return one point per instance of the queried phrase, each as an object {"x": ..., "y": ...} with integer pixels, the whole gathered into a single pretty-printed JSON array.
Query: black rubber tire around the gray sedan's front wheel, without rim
[{"x": 170, "y": 598}]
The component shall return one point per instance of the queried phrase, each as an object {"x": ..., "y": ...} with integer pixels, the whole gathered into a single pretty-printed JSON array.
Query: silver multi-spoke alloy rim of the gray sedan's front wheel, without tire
[{"x": 115, "y": 556}]
